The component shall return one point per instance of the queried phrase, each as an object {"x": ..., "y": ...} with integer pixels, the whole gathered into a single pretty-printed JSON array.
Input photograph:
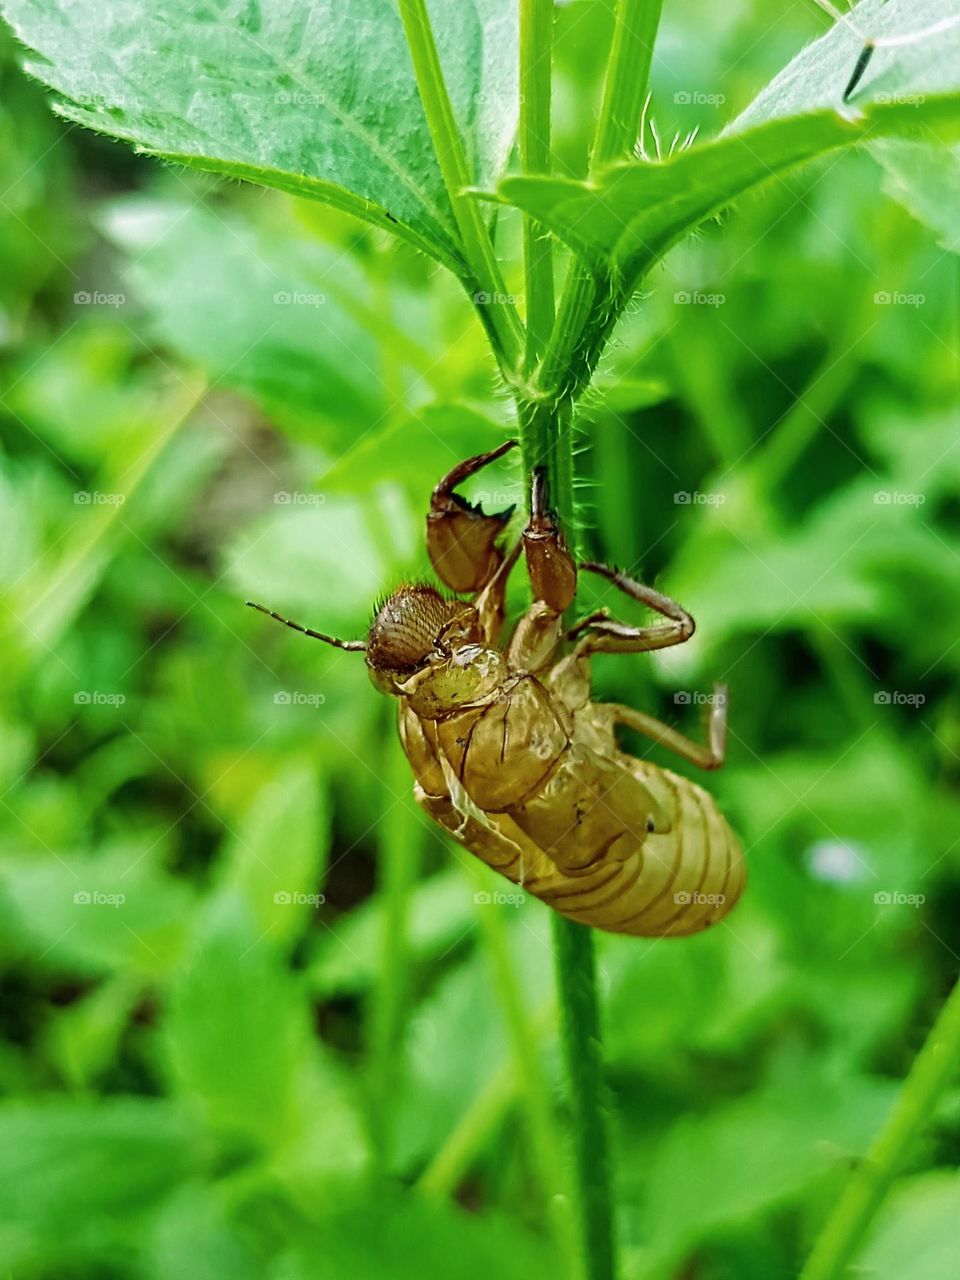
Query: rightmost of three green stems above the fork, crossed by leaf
[{"x": 591, "y": 307}]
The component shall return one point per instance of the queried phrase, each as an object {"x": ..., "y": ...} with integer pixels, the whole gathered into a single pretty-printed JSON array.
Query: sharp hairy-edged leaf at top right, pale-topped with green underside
[{"x": 632, "y": 214}]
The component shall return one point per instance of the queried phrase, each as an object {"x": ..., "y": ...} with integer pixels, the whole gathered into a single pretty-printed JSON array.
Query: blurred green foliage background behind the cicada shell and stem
[{"x": 255, "y": 1012}]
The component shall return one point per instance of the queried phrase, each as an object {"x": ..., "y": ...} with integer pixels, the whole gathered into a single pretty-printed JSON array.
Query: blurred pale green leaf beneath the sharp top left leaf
[{"x": 267, "y": 310}]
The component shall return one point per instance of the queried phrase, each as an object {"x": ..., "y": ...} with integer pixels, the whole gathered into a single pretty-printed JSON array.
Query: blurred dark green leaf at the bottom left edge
[{"x": 77, "y": 1178}]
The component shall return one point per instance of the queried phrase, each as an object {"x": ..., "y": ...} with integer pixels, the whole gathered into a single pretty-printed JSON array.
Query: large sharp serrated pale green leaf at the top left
[{"x": 314, "y": 100}]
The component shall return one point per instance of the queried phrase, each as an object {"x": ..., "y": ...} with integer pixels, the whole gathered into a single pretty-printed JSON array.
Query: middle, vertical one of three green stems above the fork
[{"x": 536, "y": 54}]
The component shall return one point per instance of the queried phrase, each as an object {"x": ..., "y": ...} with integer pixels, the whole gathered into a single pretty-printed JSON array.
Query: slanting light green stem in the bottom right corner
[{"x": 930, "y": 1075}]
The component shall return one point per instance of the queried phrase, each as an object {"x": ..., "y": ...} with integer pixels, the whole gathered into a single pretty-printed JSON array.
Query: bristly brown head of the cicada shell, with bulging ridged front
[{"x": 431, "y": 651}]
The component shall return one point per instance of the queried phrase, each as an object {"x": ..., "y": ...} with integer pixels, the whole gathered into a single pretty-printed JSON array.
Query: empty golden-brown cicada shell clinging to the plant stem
[{"x": 510, "y": 755}]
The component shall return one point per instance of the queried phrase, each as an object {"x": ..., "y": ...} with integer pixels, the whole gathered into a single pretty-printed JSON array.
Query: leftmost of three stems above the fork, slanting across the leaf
[{"x": 497, "y": 312}]
